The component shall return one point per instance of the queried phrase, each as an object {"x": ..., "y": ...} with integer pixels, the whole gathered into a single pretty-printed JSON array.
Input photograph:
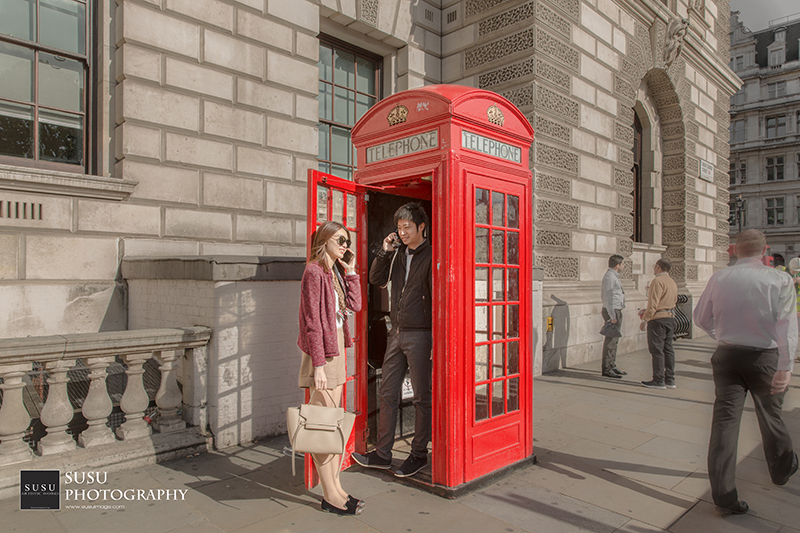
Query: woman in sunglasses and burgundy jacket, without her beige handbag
[{"x": 329, "y": 290}]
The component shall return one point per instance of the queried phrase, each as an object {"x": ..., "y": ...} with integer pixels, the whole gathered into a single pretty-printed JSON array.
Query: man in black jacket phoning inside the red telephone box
[{"x": 405, "y": 260}]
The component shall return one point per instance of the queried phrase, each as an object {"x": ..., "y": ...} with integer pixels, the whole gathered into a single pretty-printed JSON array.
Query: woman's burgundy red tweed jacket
[{"x": 318, "y": 312}]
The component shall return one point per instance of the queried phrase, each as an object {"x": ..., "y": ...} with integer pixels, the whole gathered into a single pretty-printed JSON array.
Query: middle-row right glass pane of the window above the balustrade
[{"x": 60, "y": 82}]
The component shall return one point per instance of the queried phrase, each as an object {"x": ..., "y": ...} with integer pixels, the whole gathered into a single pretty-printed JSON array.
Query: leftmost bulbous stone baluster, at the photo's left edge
[{"x": 14, "y": 418}]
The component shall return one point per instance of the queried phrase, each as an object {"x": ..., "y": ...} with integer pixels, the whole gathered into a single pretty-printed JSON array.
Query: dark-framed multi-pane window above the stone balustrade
[{"x": 44, "y": 89}]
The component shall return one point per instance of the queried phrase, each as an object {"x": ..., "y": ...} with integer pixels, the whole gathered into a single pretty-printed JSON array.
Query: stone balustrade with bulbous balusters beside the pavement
[{"x": 57, "y": 355}]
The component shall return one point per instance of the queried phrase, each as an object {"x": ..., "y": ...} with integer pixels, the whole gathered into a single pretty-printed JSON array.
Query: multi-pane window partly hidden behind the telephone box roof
[{"x": 348, "y": 87}]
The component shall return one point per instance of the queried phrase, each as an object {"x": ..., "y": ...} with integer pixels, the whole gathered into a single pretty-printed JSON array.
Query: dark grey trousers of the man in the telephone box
[{"x": 406, "y": 349}]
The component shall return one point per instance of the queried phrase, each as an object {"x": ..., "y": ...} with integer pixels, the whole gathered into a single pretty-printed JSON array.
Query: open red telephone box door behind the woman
[{"x": 332, "y": 183}]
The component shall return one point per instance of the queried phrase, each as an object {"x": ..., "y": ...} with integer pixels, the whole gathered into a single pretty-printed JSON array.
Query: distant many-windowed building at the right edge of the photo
[{"x": 765, "y": 133}]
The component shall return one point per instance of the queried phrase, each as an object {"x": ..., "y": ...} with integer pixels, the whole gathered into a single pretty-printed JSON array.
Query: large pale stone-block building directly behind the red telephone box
[{"x": 201, "y": 119}]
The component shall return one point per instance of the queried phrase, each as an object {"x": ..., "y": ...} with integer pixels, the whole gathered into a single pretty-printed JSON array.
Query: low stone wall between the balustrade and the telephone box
[{"x": 253, "y": 358}]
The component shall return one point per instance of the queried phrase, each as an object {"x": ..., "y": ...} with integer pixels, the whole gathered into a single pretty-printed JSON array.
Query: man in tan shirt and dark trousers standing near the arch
[{"x": 659, "y": 321}]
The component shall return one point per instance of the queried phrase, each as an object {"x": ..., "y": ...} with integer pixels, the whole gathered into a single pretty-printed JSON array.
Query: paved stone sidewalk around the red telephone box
[{"x": 613, "y": 456}]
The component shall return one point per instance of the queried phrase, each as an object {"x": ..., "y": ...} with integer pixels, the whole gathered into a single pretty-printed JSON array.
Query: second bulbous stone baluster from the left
[{"x": 57, "y": 412}]
